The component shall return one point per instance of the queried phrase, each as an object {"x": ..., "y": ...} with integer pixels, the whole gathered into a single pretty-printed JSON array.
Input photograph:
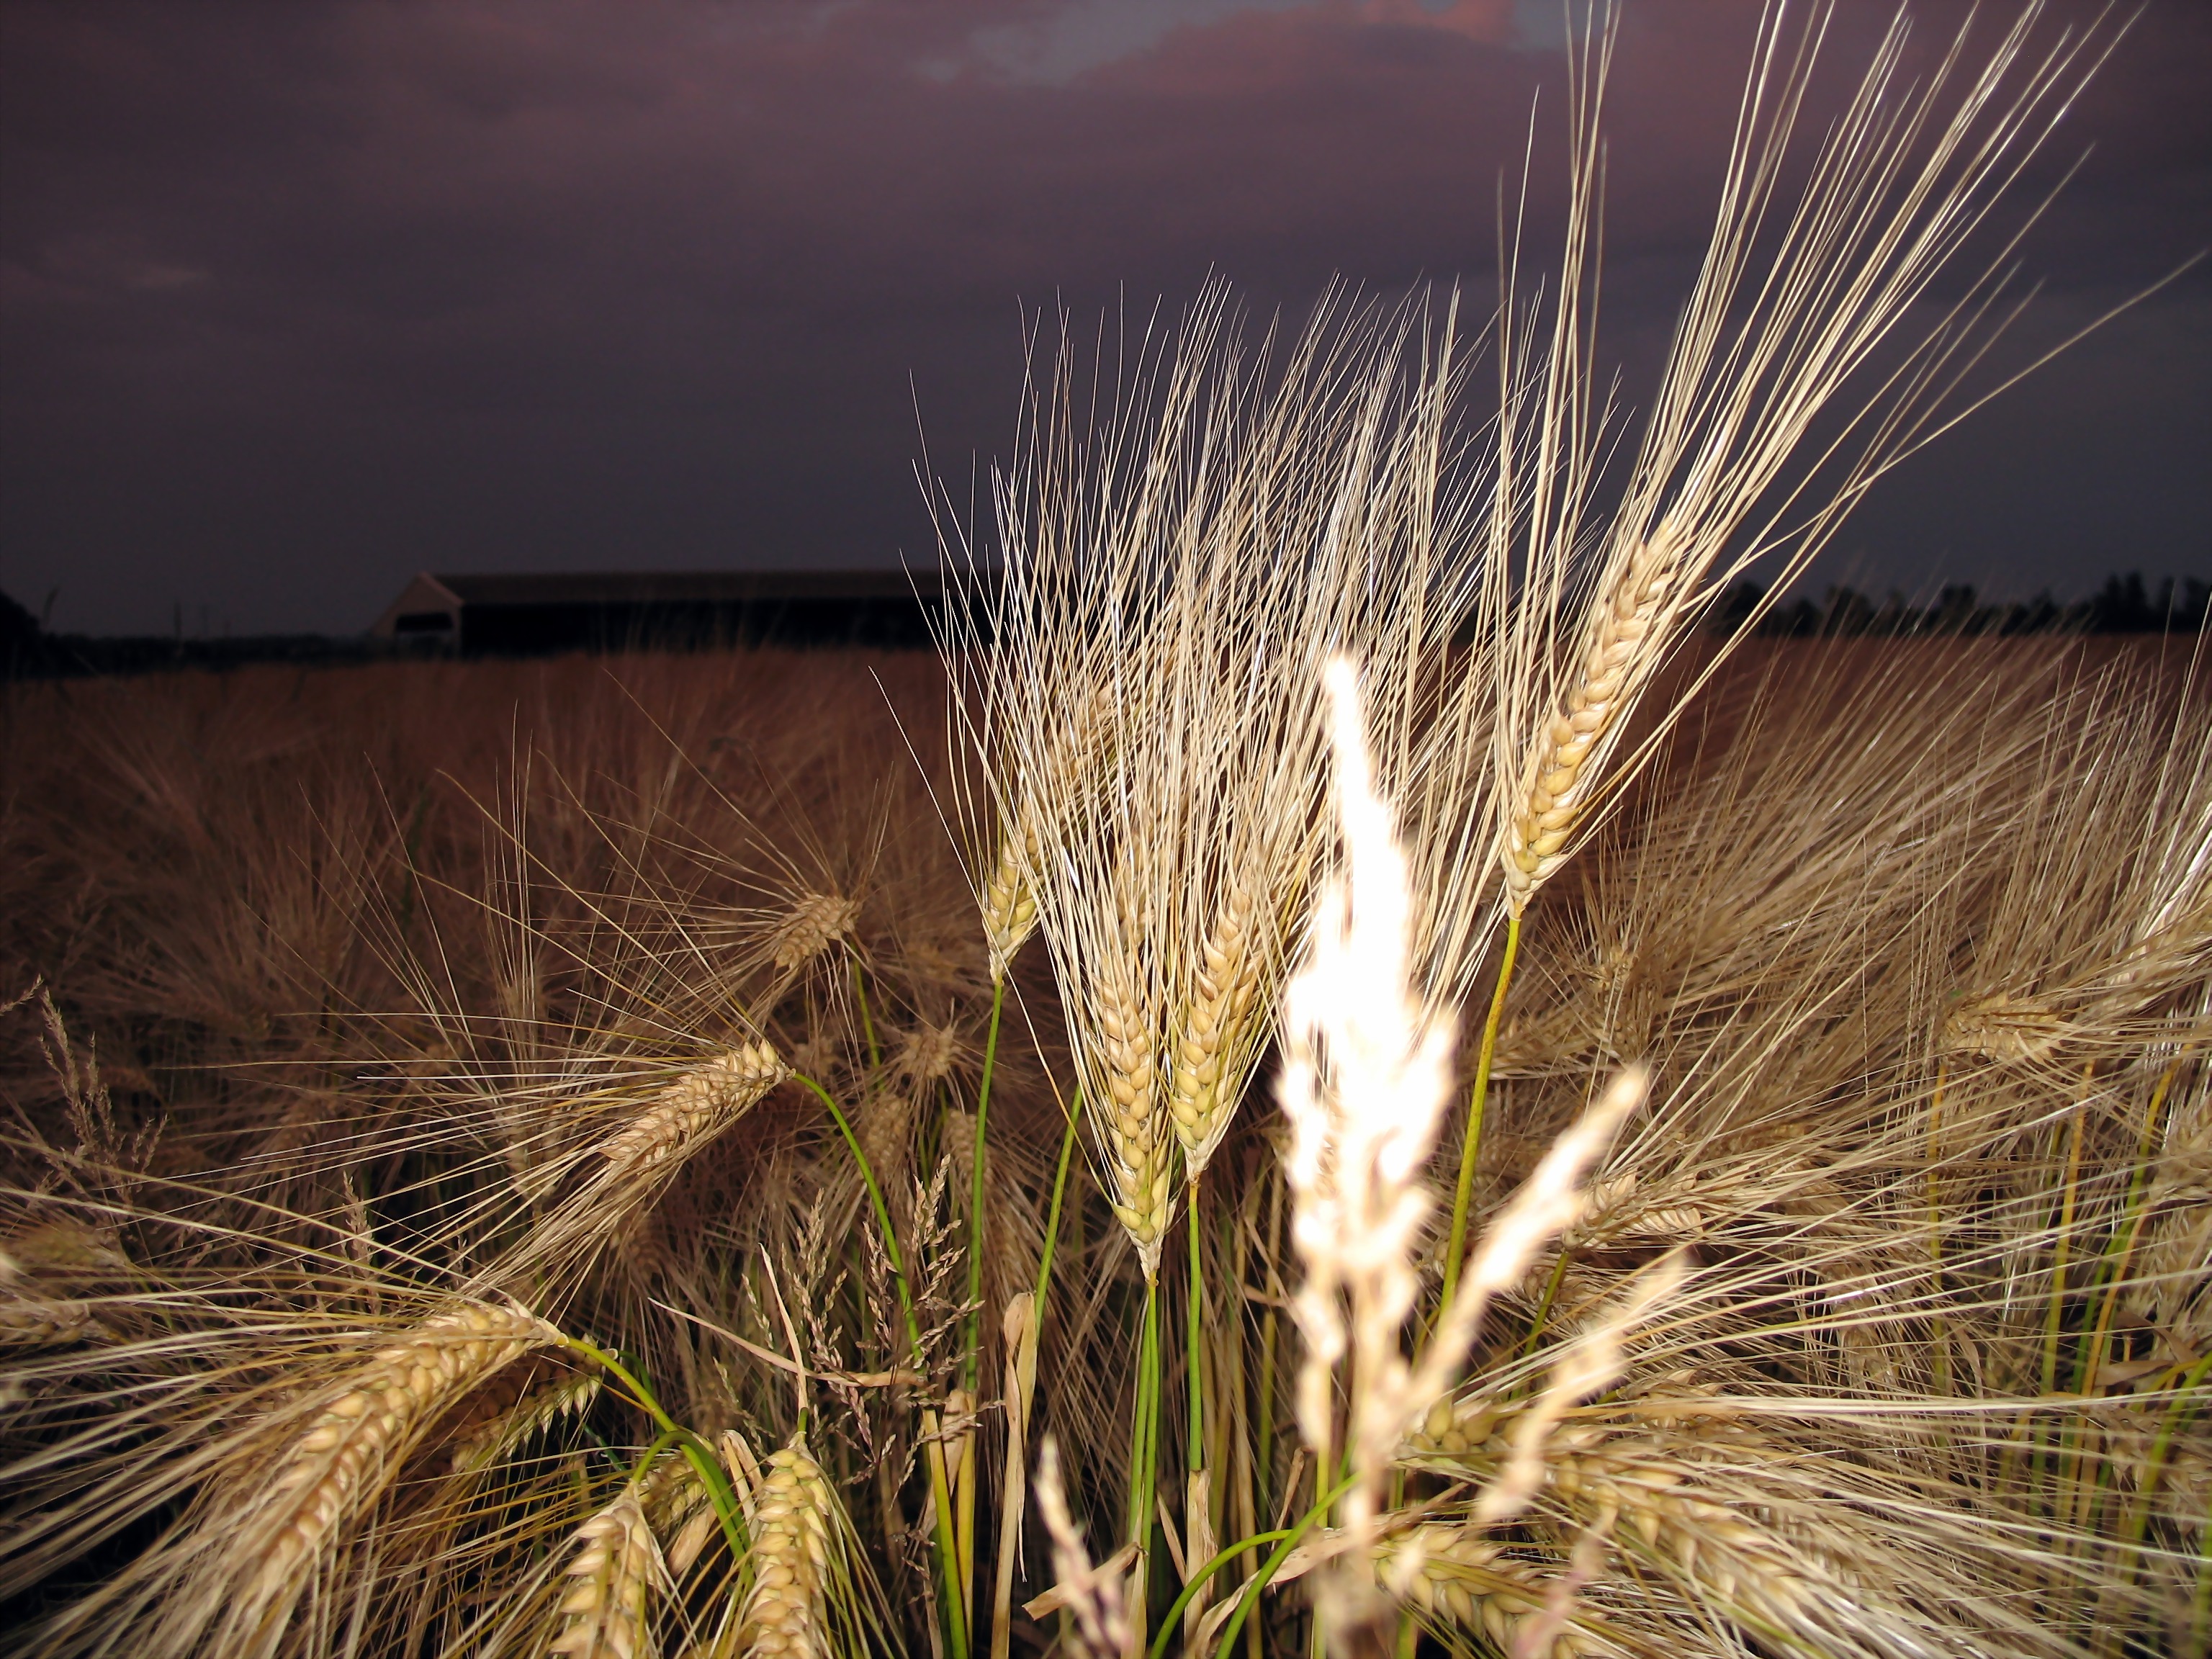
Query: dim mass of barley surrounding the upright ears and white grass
[{"x": 399, "y": 1076}]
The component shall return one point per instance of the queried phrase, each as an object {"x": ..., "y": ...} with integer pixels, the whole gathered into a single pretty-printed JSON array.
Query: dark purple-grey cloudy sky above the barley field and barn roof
[{"x": 304, "y": 295}]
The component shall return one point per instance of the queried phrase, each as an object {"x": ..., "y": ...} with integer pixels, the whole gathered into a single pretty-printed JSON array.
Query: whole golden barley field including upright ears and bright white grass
[{"x": 1337, "y": 1072}]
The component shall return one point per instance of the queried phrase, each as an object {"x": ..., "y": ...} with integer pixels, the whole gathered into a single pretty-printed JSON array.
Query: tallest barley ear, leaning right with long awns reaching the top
[{"x": 1824, "y": 328}]
